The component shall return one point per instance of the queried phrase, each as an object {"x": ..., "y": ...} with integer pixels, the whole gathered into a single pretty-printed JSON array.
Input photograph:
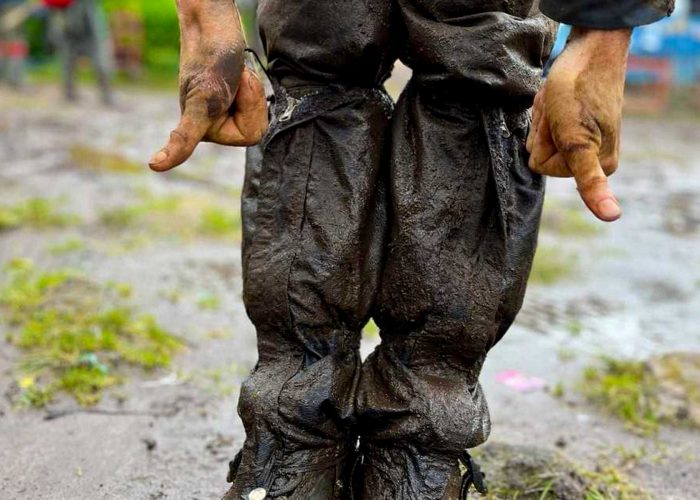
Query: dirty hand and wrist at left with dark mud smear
[{"x": 221, "y": 100}]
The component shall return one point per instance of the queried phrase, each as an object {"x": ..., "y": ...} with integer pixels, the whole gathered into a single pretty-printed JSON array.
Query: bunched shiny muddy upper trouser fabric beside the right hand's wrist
[{"x": 482, "y": 51}]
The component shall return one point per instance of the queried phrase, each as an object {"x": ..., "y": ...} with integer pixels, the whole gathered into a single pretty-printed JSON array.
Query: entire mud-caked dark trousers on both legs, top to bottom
[{"x": 427, "y": 220}]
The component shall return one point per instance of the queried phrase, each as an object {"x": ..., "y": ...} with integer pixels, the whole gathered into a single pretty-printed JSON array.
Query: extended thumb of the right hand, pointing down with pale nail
[{"x": 593, "y": 184}]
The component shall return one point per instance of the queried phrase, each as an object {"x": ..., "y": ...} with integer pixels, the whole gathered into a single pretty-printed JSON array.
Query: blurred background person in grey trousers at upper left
[{"x": 79, "y": 29}]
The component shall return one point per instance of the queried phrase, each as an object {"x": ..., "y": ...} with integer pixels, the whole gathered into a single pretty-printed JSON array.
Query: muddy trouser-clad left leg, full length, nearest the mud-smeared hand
[{"x": 314, "y": 225}]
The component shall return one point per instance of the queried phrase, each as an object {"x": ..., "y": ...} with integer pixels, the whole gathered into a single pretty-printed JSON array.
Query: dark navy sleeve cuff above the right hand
[{"x": 604, "y": 14}]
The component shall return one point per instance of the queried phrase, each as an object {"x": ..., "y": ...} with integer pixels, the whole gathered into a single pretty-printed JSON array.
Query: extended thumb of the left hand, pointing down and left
[{"x": 182, "y": 142}]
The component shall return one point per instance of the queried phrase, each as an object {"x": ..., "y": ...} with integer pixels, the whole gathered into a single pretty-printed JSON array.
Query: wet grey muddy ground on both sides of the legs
[{"x": 631, "y": 289}]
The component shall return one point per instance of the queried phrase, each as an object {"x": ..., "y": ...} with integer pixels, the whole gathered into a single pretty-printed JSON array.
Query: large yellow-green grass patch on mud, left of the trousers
[{"x": 75, "y": 336}]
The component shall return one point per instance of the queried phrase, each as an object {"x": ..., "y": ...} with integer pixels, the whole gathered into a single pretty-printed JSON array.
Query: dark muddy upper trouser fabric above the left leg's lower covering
[{"x": 332, "y": 41}]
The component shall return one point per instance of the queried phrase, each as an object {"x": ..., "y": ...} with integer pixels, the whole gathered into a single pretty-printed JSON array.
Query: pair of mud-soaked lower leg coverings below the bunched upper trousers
[{"x": 425, "y": 219}]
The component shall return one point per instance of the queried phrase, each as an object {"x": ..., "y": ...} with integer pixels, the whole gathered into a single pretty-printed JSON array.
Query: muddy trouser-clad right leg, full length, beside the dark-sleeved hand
[{"x": 463, "y": 230}]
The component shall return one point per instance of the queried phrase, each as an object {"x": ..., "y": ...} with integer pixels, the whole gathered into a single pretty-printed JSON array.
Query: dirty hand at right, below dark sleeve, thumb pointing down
[{"x": 577, "y": 116}]
